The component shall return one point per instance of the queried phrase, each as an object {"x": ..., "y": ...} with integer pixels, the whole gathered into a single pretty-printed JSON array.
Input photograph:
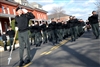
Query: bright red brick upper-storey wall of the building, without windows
[{"x": 38, "y": 14}]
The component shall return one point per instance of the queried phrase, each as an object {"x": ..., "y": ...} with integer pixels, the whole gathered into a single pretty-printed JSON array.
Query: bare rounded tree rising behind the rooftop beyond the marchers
[{"x": 58, "y": 11}]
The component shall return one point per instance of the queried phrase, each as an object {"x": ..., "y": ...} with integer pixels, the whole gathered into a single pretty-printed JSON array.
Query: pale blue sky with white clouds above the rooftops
[{"x": 79, "y": 8}]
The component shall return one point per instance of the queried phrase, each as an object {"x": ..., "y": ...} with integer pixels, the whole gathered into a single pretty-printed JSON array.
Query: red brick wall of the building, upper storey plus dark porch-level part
[{"x": 38, "y": 14}]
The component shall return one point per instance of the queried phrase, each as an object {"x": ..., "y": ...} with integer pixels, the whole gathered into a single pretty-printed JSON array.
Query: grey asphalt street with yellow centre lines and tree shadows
[{"x": 84, "y": 52}]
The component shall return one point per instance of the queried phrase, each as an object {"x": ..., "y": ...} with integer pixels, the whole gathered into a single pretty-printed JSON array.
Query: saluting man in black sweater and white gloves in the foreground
[{"x": 22, "y": 21}]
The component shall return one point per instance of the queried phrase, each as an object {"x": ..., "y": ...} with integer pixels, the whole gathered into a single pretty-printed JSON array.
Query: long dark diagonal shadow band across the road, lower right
[{"x": 89, "y": 62}]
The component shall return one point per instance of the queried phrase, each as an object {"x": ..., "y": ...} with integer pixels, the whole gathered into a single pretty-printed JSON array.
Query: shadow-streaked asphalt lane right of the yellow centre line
[{"x": 73, "y": 57}]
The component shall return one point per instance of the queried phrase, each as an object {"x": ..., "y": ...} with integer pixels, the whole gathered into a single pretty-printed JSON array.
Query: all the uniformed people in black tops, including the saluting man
[{"x": 43, "y": 31}]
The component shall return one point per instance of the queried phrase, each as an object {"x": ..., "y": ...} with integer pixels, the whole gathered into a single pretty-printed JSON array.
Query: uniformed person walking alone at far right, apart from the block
[{"x": 94, "y": 24}]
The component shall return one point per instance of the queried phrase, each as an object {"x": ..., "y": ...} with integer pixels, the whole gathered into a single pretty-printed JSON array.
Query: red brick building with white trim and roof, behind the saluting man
[{"x": 7, "y": 13}]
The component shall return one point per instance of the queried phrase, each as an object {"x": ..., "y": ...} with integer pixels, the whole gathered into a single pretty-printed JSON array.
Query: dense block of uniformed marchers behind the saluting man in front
[{"x": 56, "y": 31}]
